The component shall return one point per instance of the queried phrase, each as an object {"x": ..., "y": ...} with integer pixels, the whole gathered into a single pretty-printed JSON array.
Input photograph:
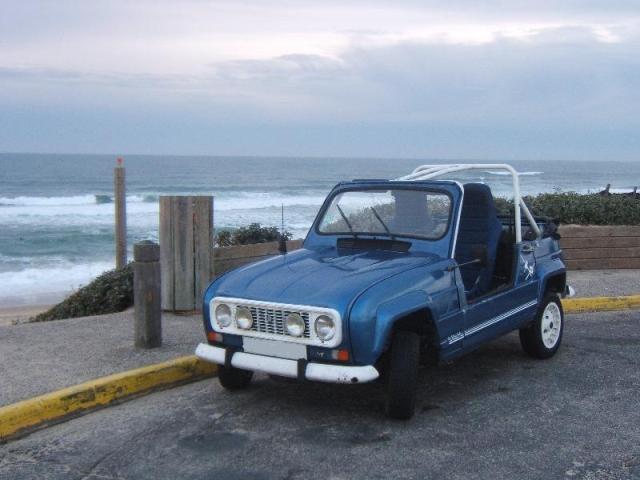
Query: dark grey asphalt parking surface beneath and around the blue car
[{"x": 493, "y": 414}]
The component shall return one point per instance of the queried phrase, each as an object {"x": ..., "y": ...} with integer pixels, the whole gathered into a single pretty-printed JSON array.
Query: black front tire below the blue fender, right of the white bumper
[{"x": 403, "y": 374}]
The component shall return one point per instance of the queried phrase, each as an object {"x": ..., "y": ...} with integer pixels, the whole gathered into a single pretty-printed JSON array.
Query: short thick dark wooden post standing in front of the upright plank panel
[{"x": 146, "y": 294}]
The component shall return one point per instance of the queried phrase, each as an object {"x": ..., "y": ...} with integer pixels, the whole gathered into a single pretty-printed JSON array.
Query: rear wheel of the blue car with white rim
[{"x": 542, "y": 338}]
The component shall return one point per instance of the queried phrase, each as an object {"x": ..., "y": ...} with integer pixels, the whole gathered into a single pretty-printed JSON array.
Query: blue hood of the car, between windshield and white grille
[{"x": 328, "y": 277}]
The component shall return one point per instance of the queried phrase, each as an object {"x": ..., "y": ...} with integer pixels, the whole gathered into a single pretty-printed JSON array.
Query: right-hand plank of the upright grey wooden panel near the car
[{"x": 202, "y": 245}]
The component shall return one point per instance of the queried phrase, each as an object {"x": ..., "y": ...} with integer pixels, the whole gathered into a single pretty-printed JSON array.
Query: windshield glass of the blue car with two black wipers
[{"x": 394, "y": 212}]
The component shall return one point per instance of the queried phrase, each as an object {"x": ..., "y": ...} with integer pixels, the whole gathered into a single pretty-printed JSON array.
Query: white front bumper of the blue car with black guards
[{"x": 283, "y": 367}]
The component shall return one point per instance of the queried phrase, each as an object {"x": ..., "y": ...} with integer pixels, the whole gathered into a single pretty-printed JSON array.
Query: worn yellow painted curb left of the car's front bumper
[{"x": 36, "y": 412}]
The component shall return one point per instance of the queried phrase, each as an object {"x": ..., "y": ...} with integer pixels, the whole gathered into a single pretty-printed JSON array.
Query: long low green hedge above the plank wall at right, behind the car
[{"x": 581, "y": 209}]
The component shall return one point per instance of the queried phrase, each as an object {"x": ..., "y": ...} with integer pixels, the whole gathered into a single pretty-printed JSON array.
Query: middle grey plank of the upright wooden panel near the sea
[{"x": 184, "y": 282}]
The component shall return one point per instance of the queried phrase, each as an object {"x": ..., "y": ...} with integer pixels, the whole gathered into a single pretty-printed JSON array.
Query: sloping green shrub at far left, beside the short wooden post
[{"x": 111, "y": 292}]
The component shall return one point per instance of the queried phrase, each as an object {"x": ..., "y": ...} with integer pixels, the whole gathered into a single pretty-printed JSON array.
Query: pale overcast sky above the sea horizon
[{"x": 507, "y": 79}]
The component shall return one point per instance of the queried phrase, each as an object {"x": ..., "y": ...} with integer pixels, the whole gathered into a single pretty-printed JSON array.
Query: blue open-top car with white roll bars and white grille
[{"x": 391, "y": 273}]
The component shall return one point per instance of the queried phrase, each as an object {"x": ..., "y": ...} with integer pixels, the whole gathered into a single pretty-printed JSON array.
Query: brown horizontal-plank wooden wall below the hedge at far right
[{"x": 600, "y": 247}]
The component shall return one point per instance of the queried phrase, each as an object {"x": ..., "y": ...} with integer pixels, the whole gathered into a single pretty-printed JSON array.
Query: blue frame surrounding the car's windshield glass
[{"x": 383, "y": 186}]
